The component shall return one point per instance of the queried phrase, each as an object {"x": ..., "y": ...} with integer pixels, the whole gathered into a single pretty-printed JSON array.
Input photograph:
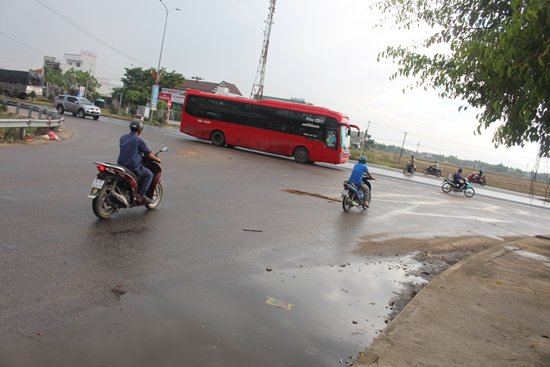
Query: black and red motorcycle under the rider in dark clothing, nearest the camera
[{"x": 116, "y": 187}]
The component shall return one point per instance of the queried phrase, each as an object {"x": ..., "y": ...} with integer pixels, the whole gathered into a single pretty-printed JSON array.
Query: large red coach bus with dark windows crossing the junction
[{"x": 307, "y": 133}]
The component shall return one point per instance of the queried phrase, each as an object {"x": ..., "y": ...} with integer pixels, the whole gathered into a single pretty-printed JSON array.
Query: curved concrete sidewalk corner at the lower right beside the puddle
[{"x": 408, "y": 339}]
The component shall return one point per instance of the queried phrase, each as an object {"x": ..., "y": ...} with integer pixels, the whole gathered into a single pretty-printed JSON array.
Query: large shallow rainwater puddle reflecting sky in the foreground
[{"x": 337, "y": 311}]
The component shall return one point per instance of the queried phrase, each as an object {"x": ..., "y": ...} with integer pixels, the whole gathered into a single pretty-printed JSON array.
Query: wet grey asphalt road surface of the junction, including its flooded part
[{"x": 182, "y": 282}]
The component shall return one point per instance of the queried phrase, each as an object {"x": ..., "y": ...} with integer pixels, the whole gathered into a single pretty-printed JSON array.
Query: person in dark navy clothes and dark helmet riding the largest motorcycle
[{"x": 132, "y": 147}]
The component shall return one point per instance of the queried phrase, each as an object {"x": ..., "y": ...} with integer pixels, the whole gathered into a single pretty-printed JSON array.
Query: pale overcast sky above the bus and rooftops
[{"x": 320, "y": 50}]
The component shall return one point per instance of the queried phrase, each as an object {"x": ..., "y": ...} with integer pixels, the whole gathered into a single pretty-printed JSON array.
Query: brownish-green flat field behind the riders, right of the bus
[{"x": 497, "y": 180}]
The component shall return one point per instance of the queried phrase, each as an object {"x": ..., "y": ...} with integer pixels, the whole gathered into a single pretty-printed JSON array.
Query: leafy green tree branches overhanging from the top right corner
[{"x": 498, "y": 60}]
